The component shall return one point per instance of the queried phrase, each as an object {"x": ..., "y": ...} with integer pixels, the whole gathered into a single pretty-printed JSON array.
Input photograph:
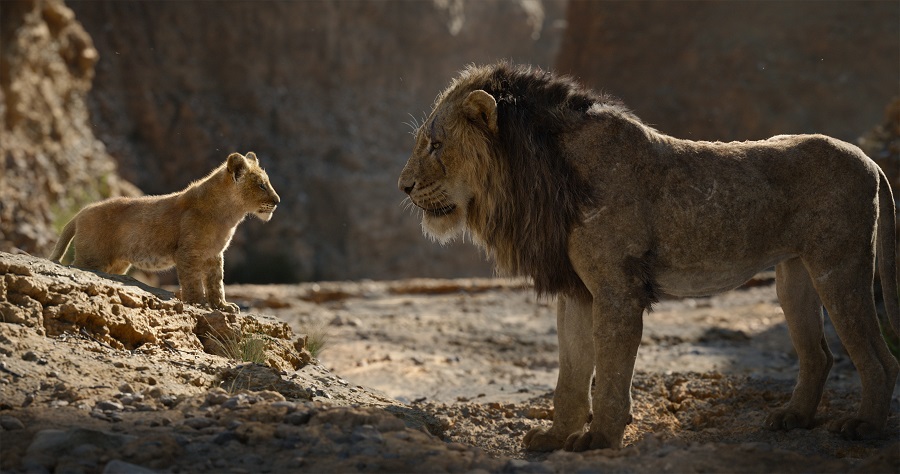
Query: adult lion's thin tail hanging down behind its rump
[{"x": 888, "y": 253}]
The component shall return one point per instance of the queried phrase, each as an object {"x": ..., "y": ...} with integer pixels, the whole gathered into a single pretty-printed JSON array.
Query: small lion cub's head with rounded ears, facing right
[{"x": 254, "y": 190}]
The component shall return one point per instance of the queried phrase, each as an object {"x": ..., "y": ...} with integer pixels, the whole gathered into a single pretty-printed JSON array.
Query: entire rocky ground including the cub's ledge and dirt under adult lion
[{"x": 105, "y": 374}]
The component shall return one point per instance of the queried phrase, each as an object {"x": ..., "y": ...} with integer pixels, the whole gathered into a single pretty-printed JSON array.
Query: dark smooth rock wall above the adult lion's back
[{"x": 740, "y": 70}]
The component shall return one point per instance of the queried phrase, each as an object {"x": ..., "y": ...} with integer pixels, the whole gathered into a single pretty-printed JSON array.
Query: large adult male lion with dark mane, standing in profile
[{"x": 566, "y": 186}]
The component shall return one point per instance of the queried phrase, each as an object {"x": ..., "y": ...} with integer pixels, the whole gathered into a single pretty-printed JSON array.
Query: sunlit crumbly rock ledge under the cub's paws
[{"x": 125, "y": 314}]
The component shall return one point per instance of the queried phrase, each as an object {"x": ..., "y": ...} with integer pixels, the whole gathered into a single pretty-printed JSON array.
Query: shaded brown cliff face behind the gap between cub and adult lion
[{"x": 322, "y": 91}]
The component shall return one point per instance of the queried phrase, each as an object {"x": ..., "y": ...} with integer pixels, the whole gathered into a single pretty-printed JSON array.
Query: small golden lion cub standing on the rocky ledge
[{"x": 189, "y": 229}]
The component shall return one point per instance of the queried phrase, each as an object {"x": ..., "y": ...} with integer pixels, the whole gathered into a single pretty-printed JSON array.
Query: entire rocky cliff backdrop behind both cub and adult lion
[{"x": 160, "y": 92}]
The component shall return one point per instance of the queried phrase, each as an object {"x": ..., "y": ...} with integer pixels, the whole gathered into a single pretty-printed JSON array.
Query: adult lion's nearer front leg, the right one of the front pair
[{"x": 617, "y": 327}]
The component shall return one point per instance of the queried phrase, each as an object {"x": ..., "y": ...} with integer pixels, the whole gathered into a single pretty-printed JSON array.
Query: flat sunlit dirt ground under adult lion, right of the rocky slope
[{"x": 482, "y": 356}]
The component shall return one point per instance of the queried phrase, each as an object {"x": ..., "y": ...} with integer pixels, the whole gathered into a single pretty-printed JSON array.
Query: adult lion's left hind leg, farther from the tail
[{"x": 803, "y": 312}]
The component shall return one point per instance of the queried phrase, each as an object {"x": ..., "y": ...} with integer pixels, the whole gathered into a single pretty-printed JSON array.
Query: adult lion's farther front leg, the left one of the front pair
[{"x": 571, "y": 401}]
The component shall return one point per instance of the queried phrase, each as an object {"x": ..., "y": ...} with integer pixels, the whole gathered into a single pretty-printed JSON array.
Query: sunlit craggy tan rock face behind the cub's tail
[{"x": 52, "y": 163}]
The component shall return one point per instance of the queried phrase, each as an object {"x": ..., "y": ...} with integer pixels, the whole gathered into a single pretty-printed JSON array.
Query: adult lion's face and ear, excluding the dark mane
[{"x": 450, "y": 166}]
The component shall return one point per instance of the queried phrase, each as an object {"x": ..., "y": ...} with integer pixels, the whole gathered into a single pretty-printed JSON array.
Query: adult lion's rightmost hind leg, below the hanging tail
[{"x": 846, "y": 291}]
